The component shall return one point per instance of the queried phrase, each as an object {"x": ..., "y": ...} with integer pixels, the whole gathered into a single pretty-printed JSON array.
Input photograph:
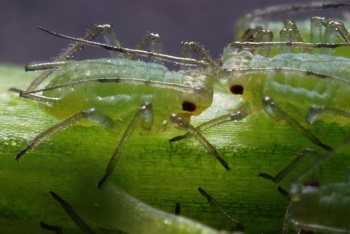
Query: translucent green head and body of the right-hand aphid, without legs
[{"x": 294, "y": 90}]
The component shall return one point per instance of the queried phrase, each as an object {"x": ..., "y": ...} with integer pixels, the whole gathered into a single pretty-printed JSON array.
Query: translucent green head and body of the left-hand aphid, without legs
[{"x": 121, "y": 100}]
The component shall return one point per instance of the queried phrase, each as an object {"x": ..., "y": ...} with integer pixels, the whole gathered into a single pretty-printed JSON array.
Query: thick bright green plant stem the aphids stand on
[{"x": 151, "y": 169}]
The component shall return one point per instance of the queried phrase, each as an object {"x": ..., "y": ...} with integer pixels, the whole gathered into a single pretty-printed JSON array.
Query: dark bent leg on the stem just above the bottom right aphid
[{"x": 285, "y": 171}]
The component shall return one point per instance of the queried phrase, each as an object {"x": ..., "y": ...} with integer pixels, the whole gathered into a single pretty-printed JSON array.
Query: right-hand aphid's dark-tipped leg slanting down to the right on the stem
[{"x": 279, "y": 115}]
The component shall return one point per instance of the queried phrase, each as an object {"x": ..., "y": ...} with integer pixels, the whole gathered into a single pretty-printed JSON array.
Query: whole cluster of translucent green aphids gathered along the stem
[{"x": 295, "y": 88}]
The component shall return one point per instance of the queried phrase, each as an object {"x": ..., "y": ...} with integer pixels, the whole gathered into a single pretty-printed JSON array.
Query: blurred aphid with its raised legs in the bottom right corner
[{"x": 314, "y": 207}]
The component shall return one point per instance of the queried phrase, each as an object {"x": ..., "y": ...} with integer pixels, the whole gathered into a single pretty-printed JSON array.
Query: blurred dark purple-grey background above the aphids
[{"x": 212, "y": 23}]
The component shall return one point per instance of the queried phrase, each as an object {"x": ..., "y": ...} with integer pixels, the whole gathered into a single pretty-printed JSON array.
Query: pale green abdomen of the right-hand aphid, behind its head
[{"x": 302, "y": 89}]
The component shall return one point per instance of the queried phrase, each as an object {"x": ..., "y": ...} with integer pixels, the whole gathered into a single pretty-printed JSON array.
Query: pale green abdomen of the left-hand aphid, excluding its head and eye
[{"x": 113, "y": 99}]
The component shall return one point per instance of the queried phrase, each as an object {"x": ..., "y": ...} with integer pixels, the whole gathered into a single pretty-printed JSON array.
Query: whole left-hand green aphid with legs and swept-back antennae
[{"x": 116, "y": 91}]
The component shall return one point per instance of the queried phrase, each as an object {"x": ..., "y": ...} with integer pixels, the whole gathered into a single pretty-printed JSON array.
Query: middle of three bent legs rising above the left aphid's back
[{"x": 151, "y": 42}]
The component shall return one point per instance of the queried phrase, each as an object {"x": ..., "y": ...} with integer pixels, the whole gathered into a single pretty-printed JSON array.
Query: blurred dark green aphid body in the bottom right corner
[{"x": 325, "y": 209}]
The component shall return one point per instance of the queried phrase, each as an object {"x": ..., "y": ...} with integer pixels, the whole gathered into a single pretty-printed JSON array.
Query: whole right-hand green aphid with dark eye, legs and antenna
[{"x": 298, "y": 89}]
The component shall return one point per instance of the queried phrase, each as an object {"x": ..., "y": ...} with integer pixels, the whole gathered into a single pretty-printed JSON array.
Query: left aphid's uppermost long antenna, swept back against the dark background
[{"x": 148, "y": 54}]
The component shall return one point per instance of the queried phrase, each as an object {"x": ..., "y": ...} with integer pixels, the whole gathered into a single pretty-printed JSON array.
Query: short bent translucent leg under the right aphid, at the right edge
[{"x": 314, "y": 112}]
